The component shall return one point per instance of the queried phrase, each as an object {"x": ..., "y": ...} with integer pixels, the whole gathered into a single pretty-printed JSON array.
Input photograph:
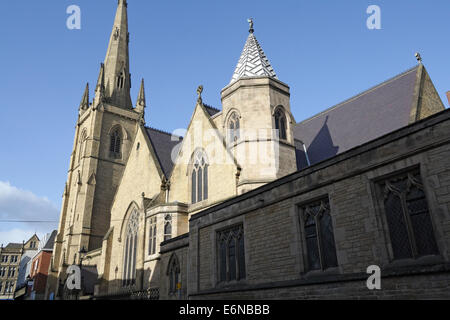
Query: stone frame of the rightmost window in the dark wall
[{"x": 381, "y": 215}]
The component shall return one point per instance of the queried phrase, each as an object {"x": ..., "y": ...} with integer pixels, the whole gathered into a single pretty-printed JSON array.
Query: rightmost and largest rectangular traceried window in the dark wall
[{"x": 408, "y": 217}]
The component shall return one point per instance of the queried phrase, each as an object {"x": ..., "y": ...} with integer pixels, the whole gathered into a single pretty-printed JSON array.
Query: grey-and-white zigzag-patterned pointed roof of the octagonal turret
[{"x": 253, "y": 61}]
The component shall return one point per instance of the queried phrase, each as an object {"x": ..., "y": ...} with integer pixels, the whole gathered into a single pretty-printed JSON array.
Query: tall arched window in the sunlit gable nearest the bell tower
[{"x": 131, "y": 242}]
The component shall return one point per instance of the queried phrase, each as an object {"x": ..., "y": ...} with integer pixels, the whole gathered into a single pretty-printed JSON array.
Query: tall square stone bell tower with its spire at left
[{"x": 103, "y": 139}]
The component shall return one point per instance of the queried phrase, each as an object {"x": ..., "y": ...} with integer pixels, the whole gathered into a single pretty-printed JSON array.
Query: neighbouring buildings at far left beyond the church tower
[{"x": 13, "y": 260}]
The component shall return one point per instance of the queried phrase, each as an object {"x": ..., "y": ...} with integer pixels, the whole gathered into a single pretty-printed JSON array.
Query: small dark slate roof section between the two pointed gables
[{"x": 163, "y": 145}]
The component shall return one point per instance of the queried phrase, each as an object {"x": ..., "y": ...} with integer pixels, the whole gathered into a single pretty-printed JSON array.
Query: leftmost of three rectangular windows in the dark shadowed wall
[{"x": 231, "y": 254}]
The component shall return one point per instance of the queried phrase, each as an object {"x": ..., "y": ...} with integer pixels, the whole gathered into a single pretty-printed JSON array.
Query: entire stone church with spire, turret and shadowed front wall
[{"x": 251, "y": 203}]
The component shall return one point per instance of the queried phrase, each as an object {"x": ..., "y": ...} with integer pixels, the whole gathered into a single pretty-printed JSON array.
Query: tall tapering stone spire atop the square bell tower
[{"x": 117, "y": 64}]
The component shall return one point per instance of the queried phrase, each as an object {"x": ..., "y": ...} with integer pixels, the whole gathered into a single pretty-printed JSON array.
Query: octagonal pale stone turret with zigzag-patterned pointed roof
[{"x": 257, "y": 119}]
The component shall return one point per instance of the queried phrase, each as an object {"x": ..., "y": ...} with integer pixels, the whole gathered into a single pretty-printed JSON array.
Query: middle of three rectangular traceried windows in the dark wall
[{"x": 319, "y": 236}]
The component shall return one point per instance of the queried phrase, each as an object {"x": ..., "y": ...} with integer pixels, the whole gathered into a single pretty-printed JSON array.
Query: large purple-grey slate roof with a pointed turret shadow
[{"x": 369, "y": 115}]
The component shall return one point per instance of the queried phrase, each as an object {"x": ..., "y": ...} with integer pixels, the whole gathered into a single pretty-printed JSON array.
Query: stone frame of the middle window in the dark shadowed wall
[{"x": 301, "y": 215}]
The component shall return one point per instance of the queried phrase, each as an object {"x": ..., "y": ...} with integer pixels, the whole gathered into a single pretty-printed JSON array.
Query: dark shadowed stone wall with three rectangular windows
[{"x": 276, "y": 265}]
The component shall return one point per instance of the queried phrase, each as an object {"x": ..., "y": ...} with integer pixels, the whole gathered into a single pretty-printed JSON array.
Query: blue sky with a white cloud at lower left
[{"x": 322, "y": 49}]
